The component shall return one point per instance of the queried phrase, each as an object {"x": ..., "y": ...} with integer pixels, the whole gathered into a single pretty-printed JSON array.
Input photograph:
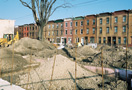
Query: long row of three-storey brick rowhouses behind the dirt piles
[{"x": 108, "y": 28}]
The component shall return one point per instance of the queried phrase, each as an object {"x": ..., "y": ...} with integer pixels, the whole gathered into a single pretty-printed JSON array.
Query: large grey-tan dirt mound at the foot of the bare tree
[{"x": 27, "y": 46}]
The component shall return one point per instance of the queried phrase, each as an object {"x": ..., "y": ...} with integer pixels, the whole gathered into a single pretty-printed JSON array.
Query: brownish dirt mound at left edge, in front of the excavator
[{"x": 6, "y": 55}]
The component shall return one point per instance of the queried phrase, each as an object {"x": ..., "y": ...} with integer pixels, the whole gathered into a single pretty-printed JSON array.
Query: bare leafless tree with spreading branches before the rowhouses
[{"x": 42, "y": 10}]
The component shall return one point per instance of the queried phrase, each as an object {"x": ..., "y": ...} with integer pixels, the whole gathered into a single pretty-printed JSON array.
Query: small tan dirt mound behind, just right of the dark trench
[{"x": 82, "y": 53}]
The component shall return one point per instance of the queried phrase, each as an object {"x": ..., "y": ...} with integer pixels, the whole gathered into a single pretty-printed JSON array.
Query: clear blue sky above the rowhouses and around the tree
[{"x": 14, "y": 10}]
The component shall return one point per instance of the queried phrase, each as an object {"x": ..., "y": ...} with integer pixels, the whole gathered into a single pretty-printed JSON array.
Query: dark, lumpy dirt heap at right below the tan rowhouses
[{"x": 112, "y": 57}]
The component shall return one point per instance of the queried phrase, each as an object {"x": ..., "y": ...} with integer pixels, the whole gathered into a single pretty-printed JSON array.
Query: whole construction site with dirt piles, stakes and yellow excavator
[{"x": 30, "y": 64}]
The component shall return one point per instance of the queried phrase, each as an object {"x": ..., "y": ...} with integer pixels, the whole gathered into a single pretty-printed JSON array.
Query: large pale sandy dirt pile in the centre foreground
[{"x": 63, "y": 77}]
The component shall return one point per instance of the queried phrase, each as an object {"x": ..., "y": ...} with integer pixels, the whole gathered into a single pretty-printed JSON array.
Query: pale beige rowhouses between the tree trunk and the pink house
[{"x": 54, "y": 31}]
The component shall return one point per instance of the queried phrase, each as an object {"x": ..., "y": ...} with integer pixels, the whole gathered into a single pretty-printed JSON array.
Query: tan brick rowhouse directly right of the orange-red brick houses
[{"x": 104, "y": 28}]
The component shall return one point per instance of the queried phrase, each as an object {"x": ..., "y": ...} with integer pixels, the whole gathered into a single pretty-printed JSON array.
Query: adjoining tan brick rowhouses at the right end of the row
[{"x": 112, "y": 28}]
